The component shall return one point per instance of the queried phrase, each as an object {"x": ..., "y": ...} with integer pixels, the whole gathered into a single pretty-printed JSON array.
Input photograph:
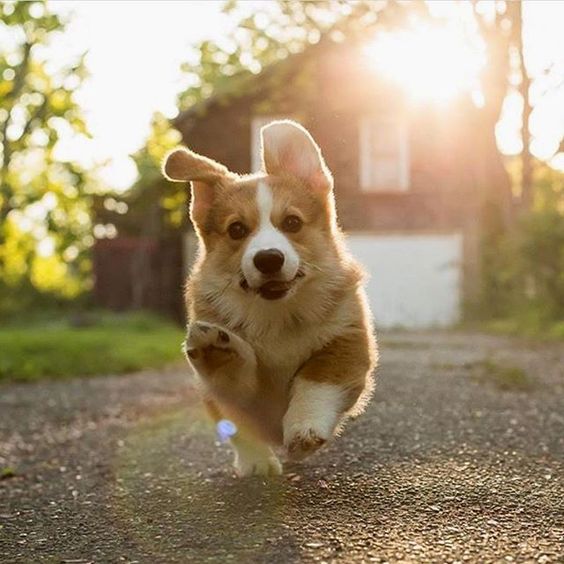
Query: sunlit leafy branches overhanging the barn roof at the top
[{"x": 269, "y": 33}]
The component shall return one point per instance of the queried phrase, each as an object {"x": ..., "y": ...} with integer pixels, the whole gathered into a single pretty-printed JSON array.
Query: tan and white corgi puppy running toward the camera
[{"x": 280, "y": 335}]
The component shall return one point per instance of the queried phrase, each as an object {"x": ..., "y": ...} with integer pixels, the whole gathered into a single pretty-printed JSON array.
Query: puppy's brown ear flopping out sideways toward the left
[{"x": 182, "y": 165}]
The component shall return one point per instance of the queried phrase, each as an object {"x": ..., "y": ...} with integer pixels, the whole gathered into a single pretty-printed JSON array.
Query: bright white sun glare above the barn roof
[{"x": 430, "y": 64}]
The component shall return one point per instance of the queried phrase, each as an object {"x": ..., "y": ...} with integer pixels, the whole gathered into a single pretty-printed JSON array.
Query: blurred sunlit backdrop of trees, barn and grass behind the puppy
[{"x": 442, "y": 121}]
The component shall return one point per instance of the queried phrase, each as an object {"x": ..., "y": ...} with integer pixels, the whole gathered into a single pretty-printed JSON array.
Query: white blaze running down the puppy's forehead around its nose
[{"x": 268, "y": 237}]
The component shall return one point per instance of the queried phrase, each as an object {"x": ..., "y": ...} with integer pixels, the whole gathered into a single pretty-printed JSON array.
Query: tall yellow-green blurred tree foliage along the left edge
[{"x": 44, "y": 199}]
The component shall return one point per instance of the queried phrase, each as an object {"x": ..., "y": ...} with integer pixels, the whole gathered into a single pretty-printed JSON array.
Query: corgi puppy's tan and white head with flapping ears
[{"x": 266, "y": 234}]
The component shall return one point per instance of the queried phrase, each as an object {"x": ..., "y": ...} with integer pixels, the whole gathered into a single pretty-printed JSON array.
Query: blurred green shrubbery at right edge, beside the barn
[{"x": 524, "y": 268}]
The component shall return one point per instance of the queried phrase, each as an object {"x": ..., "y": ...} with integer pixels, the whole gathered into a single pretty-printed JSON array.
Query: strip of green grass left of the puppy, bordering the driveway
[{"x": 98, "y": 344}]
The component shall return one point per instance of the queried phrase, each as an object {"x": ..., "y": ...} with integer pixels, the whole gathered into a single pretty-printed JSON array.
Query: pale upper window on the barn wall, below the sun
[{"x": 384, "y": 154}]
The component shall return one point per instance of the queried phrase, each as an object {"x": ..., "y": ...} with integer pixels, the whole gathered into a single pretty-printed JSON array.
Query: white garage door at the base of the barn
[{"x": 414, "y": 280}]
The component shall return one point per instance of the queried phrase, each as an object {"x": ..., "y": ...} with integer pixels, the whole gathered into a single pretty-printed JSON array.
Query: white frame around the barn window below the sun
[{"x": 365, "y": 158}]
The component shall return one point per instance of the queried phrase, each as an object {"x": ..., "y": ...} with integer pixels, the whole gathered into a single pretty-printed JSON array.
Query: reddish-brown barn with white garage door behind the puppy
[{"x": 408, "y": 178}]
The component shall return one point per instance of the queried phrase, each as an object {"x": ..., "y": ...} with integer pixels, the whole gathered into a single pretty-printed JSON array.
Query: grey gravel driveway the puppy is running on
[{"x": 460, "y": 457}]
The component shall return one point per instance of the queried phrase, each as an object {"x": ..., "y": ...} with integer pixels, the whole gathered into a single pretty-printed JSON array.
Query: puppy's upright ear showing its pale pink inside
[{"x": 288, "y": 148}]
